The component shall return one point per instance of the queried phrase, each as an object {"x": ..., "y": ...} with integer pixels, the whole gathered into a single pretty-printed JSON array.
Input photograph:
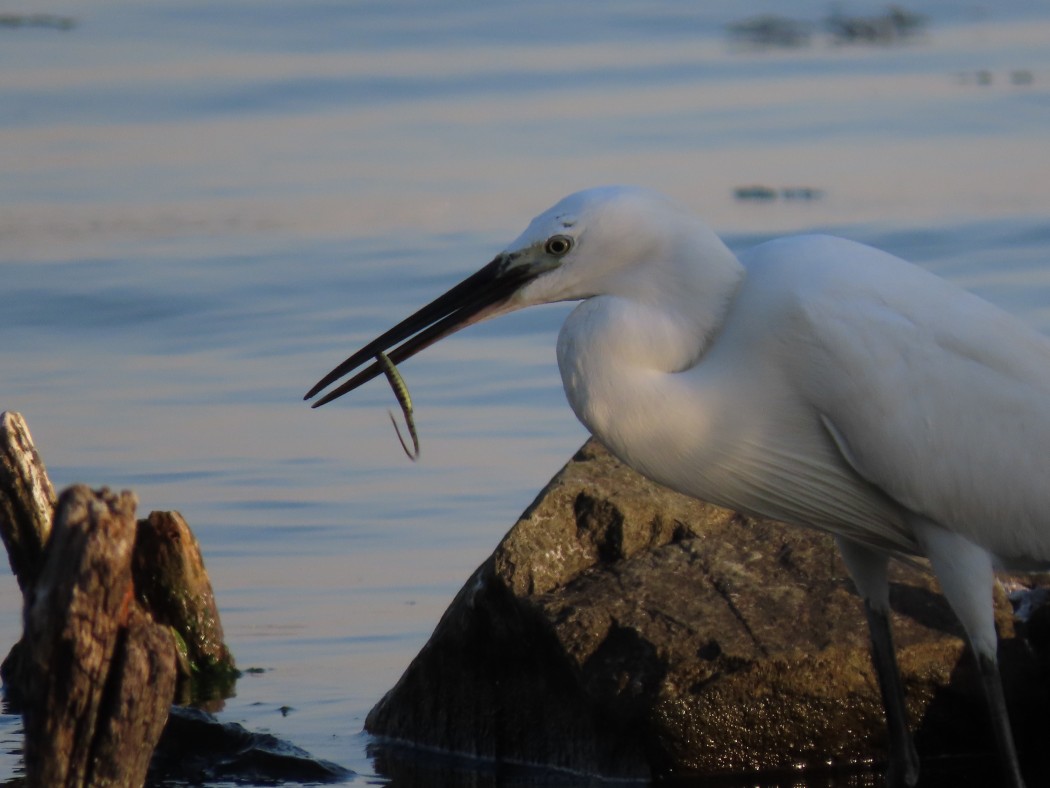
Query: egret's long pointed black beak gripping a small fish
[{"x": 476, "y": 298}]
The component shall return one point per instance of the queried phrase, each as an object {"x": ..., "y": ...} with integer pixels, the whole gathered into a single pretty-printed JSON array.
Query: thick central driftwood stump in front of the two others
[{"x": 98, "y": 674}]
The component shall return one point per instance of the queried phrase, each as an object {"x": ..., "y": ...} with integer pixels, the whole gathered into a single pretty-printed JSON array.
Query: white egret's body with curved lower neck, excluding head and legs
[{"x": 843, "y": 389}]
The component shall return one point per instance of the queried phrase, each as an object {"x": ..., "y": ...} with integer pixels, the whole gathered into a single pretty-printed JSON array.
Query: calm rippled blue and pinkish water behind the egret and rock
[{"x": 205, "y": 206}]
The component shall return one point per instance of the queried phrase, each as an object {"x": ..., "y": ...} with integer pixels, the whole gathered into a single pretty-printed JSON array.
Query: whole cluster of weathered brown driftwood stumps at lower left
[{"x": 116, "y": 611}]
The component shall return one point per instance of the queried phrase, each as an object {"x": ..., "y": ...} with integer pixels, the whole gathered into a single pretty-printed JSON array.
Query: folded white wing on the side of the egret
[{"x": 936, "y": 397}]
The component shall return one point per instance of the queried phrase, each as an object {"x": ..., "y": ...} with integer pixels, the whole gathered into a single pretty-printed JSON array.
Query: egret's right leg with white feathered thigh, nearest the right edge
[{"x": 965, "y": 574}]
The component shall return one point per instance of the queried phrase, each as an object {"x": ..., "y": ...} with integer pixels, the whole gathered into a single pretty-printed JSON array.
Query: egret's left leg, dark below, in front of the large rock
[{"x": 869, "y": 571}]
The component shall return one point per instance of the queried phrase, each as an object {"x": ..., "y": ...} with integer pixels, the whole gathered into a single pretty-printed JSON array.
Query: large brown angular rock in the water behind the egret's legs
[{"x": 624, "y": 631}]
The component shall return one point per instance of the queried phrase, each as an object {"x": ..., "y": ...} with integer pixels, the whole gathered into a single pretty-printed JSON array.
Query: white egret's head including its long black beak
[{"x": 591, "y": 243}]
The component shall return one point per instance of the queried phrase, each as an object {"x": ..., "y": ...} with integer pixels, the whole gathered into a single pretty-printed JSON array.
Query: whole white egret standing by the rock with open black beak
[{"x": 814, "y": 381}]
